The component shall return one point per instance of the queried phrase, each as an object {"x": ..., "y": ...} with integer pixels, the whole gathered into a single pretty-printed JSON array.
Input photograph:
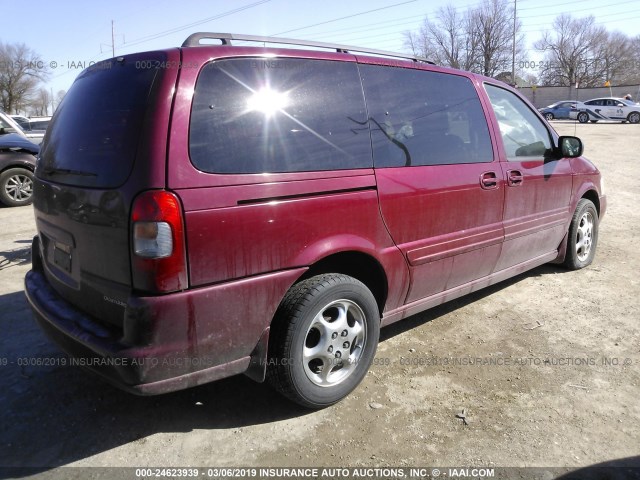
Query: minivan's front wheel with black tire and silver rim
[{"x": 583, "y": 236}]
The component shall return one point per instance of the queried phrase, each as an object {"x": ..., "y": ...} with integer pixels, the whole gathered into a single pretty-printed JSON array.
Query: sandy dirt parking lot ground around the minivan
[{"x": 546, "y": 366}]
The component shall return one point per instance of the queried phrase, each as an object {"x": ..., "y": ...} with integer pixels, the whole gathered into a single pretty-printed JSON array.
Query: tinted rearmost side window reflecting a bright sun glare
[{"x": 279, "y": 115}]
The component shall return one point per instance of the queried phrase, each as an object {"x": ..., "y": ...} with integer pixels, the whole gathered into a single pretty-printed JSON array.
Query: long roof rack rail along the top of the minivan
[{"x": 194, "y": 39}]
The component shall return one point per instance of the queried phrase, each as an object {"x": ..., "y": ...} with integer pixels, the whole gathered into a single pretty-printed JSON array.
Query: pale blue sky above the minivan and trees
[{"x": 66, "y": 33}]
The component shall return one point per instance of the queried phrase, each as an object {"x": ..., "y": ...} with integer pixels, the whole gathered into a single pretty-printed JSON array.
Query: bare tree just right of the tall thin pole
[{"x": 575, "y": 51}]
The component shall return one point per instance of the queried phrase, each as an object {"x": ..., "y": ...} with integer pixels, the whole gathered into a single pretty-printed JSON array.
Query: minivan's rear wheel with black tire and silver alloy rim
[{"x": 323, "y": 311}]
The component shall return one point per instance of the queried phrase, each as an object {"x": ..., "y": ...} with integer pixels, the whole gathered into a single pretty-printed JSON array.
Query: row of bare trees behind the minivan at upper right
[{"x": 575, "y": 51}]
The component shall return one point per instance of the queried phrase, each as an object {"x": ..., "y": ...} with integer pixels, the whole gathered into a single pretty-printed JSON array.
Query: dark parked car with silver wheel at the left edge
[{"x": 17, "y": 163}]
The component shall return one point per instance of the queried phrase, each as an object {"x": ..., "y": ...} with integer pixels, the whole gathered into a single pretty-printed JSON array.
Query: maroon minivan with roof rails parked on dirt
[{"x": 212, "y": 210}]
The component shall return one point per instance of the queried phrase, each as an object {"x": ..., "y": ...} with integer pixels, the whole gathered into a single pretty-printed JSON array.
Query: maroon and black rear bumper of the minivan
[{"x": 184, "y": 339}]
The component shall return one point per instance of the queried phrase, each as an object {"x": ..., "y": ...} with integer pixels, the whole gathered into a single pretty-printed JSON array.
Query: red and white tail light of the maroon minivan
[{"x": 158, "y": 256}]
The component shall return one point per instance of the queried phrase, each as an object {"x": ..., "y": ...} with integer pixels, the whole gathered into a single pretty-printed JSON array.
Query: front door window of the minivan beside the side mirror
[{"x": 523, "y": 133}]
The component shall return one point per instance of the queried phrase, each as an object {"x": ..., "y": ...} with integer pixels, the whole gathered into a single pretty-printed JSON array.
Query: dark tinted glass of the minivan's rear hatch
[{"x": 93, "y": 137}]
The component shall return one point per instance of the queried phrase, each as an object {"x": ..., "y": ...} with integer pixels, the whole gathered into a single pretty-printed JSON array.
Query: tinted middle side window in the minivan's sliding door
[{"x": 419, "y": 117}]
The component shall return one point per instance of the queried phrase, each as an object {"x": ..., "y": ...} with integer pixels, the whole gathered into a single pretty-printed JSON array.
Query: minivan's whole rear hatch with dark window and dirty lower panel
[{"x": 105, "y": 144}]
